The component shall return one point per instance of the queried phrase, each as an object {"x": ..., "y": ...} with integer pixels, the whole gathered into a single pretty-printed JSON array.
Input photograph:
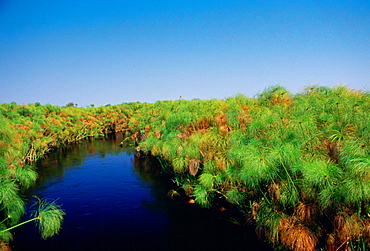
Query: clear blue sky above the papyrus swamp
[{"x": 100, "y": 52}]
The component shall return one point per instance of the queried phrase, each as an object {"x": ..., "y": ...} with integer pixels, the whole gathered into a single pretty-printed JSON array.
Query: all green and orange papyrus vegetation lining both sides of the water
[{"x": 295, "y": 166}]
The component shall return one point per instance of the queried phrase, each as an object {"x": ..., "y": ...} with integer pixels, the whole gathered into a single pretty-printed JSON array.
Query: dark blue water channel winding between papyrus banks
[{"x": 114, "y": 202}]
